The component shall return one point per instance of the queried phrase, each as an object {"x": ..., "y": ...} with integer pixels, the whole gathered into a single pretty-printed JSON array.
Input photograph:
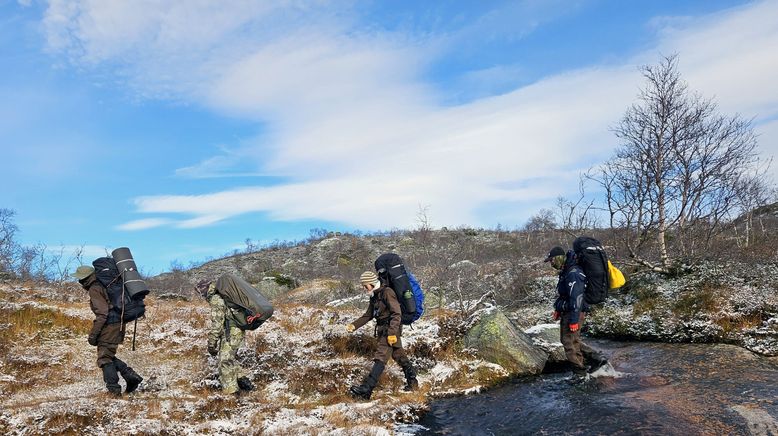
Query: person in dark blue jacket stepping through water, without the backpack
[{"x": 570, "y": 307}]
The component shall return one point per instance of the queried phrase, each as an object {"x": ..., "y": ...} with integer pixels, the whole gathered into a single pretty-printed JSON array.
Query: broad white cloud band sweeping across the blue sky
[{"x": 358, "y": 134}]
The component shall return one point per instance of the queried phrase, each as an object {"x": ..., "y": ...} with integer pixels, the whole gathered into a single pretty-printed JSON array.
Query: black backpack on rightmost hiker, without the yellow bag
[{"x": 593, "y": 260}]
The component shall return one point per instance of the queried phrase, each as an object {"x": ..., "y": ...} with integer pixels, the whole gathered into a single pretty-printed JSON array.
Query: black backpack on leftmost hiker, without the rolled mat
[{"x": 124, "y": 306}]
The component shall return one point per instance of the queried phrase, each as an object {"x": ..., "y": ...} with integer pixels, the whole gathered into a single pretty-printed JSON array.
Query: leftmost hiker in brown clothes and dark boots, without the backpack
[{"x": 106, "y": 334}]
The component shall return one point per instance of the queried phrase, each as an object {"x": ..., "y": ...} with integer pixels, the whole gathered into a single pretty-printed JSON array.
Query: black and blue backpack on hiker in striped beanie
[{"x": 392, "y": 272}]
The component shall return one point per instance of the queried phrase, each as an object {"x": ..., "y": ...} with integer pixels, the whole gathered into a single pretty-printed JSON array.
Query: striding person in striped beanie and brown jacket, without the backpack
[{"x": 385, "y": 309}]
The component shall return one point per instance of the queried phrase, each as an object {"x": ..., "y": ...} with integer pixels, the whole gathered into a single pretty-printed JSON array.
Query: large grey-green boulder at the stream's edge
[{"x": 496, "y": 339}]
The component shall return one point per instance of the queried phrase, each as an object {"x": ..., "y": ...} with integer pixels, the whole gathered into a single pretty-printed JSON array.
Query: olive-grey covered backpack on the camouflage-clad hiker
[{"x": 250, "y": 307}]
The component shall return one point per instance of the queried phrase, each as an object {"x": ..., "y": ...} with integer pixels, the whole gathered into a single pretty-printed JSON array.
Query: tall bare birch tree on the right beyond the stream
[{"x": 678, "y": 169}]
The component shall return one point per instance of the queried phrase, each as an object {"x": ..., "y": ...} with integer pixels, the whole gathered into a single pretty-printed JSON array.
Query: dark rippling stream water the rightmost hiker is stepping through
[{"x": 664, "y": 389}]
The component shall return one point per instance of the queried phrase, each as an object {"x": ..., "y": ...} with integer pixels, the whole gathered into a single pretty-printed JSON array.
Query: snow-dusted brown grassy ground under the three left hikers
[{"x": 301, "y": 362}]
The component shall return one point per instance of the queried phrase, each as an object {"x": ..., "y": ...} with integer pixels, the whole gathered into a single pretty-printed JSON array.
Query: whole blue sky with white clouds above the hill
[{"x": 181, "y": 130}]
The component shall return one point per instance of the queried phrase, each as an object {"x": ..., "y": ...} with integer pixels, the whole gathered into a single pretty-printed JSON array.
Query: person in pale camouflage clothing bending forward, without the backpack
[{"x": 225, "y": 337}]
